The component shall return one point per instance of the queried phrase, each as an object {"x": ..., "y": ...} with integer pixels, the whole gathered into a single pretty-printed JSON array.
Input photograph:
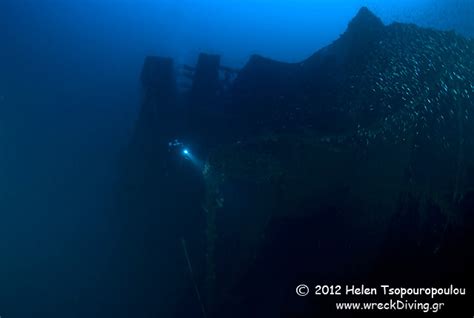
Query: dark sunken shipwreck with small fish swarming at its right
[{"x": 356, "y": 164}]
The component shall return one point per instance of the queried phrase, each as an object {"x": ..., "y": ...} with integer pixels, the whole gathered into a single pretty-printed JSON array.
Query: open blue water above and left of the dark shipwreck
[{"x": 69, "y": 94}]
